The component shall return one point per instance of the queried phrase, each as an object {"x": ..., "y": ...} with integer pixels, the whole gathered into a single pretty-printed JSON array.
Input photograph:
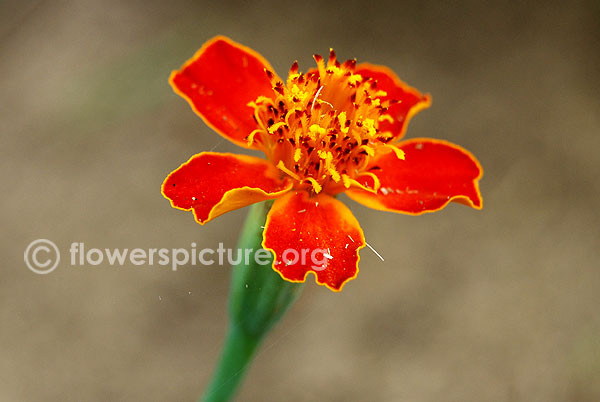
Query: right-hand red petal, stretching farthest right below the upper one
[{"x": 434, "y": 173}]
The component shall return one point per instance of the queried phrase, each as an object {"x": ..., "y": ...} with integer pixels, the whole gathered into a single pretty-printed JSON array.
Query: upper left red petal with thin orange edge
[{"x": 219, "y": 81}]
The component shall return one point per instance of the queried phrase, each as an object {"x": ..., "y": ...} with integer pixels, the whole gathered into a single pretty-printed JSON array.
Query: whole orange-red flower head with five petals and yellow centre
[{"x": 334, "y": 129}]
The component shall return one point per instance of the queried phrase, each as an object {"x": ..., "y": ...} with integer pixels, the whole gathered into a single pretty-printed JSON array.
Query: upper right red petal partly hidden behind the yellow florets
[{"x": 411, "y": 100}]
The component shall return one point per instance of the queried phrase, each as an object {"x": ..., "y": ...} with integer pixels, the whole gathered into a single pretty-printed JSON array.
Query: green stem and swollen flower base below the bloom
[{"x": 258, "y": 298}]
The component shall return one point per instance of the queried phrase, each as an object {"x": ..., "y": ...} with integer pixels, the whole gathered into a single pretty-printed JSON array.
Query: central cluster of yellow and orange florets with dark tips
[{"x": 321, "y": 128}]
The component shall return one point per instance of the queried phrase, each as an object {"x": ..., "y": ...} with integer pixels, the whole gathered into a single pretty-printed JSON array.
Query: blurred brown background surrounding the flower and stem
[{"x": 497, "y": 305}]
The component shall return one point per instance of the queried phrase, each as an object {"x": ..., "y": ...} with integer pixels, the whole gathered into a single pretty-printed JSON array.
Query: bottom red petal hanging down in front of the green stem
[{"x": 320, "y": 226}]
